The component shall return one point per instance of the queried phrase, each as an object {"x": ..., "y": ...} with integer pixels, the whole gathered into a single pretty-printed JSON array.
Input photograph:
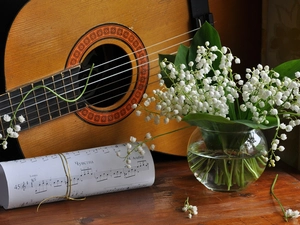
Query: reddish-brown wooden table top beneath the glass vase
[{"x": 162, "y": 203}]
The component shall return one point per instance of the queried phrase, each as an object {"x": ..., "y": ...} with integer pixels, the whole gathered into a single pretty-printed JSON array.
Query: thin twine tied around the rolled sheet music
[{"x": 69, "y": 184}]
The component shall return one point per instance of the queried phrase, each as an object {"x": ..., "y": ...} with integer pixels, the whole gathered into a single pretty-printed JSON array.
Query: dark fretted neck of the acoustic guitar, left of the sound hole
[{"x": 41, "y": 105}]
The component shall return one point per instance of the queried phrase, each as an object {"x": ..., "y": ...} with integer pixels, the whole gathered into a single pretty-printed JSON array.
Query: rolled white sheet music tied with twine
[{"x": 88, "y": 172}]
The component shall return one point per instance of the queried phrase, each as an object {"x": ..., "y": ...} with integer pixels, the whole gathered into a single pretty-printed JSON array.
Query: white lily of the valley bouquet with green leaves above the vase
[{"x": 199, "y": 84}]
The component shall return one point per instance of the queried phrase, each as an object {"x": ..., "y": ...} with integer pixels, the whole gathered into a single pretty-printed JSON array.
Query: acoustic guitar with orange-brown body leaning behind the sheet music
[{"x": 54, "y": 43}]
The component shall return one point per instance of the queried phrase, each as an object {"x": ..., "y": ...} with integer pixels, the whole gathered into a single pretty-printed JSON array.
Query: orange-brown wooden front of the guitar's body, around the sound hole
[{"x": 44, "y": 37}]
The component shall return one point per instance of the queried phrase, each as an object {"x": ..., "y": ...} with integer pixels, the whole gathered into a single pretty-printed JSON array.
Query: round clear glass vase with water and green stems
[{"x": 227, "y": 157}]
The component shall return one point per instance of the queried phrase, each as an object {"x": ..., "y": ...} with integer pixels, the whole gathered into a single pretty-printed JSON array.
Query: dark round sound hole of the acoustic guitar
[{"x": 111, "y": 80}]
